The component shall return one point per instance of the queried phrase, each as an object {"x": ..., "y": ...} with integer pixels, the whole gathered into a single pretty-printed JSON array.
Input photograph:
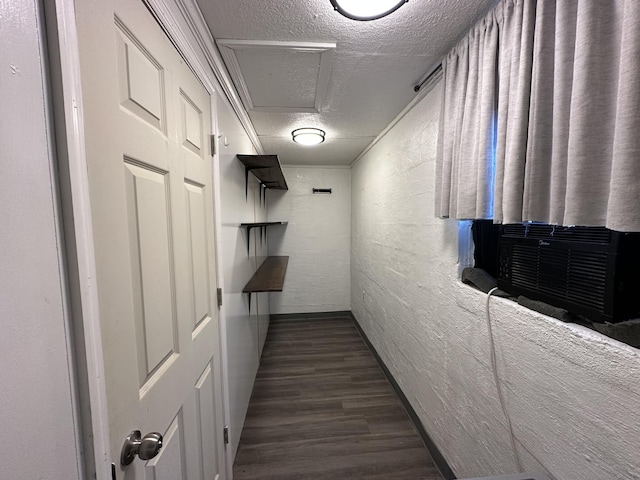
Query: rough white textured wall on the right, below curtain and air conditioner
[{"x": 573, "y": 395}]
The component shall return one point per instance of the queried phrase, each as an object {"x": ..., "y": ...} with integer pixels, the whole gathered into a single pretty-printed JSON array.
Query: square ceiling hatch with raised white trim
[{"x": 316, "y": 60}]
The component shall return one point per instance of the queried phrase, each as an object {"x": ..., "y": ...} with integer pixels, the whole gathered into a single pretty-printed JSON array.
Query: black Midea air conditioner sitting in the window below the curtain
[{"x": 590, "y": 271}]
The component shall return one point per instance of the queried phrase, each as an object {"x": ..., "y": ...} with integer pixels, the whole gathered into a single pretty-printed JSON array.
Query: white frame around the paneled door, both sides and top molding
[{"x": 184, "y": 25}]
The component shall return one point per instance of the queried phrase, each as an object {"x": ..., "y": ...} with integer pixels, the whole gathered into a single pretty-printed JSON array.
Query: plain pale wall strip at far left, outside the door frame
[{"x": 39, "y": 435}]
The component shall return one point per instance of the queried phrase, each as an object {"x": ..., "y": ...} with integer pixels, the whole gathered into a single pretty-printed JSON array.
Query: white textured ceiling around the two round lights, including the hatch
[{"x": 353, "y": 91}]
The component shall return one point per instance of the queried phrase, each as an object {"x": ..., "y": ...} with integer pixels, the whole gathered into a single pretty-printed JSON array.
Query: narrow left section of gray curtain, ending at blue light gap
[{"x": 468, "y": 125}]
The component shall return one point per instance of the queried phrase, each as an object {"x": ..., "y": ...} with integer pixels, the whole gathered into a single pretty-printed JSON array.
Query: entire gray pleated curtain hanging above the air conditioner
[{"x": 541, "y": 116}]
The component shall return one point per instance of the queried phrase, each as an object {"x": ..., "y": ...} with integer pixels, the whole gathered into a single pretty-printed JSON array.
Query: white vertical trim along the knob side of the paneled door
[{"x": 82, "y": 230}]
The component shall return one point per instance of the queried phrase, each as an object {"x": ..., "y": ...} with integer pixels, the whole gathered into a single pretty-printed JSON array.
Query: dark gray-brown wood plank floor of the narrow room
[{"x": 322, "y": 409}]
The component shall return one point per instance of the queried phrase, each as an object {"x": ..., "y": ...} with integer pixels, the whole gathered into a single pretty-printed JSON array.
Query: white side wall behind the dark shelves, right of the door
[{"x": 245, "y": 333}]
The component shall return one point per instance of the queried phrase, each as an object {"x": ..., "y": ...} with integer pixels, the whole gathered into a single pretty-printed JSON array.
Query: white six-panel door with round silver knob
[{"x": 147, "y": 124}]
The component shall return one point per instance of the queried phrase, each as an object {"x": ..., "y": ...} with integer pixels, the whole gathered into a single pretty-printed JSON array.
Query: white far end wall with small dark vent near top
[{"x": 317, "y": 240}]
